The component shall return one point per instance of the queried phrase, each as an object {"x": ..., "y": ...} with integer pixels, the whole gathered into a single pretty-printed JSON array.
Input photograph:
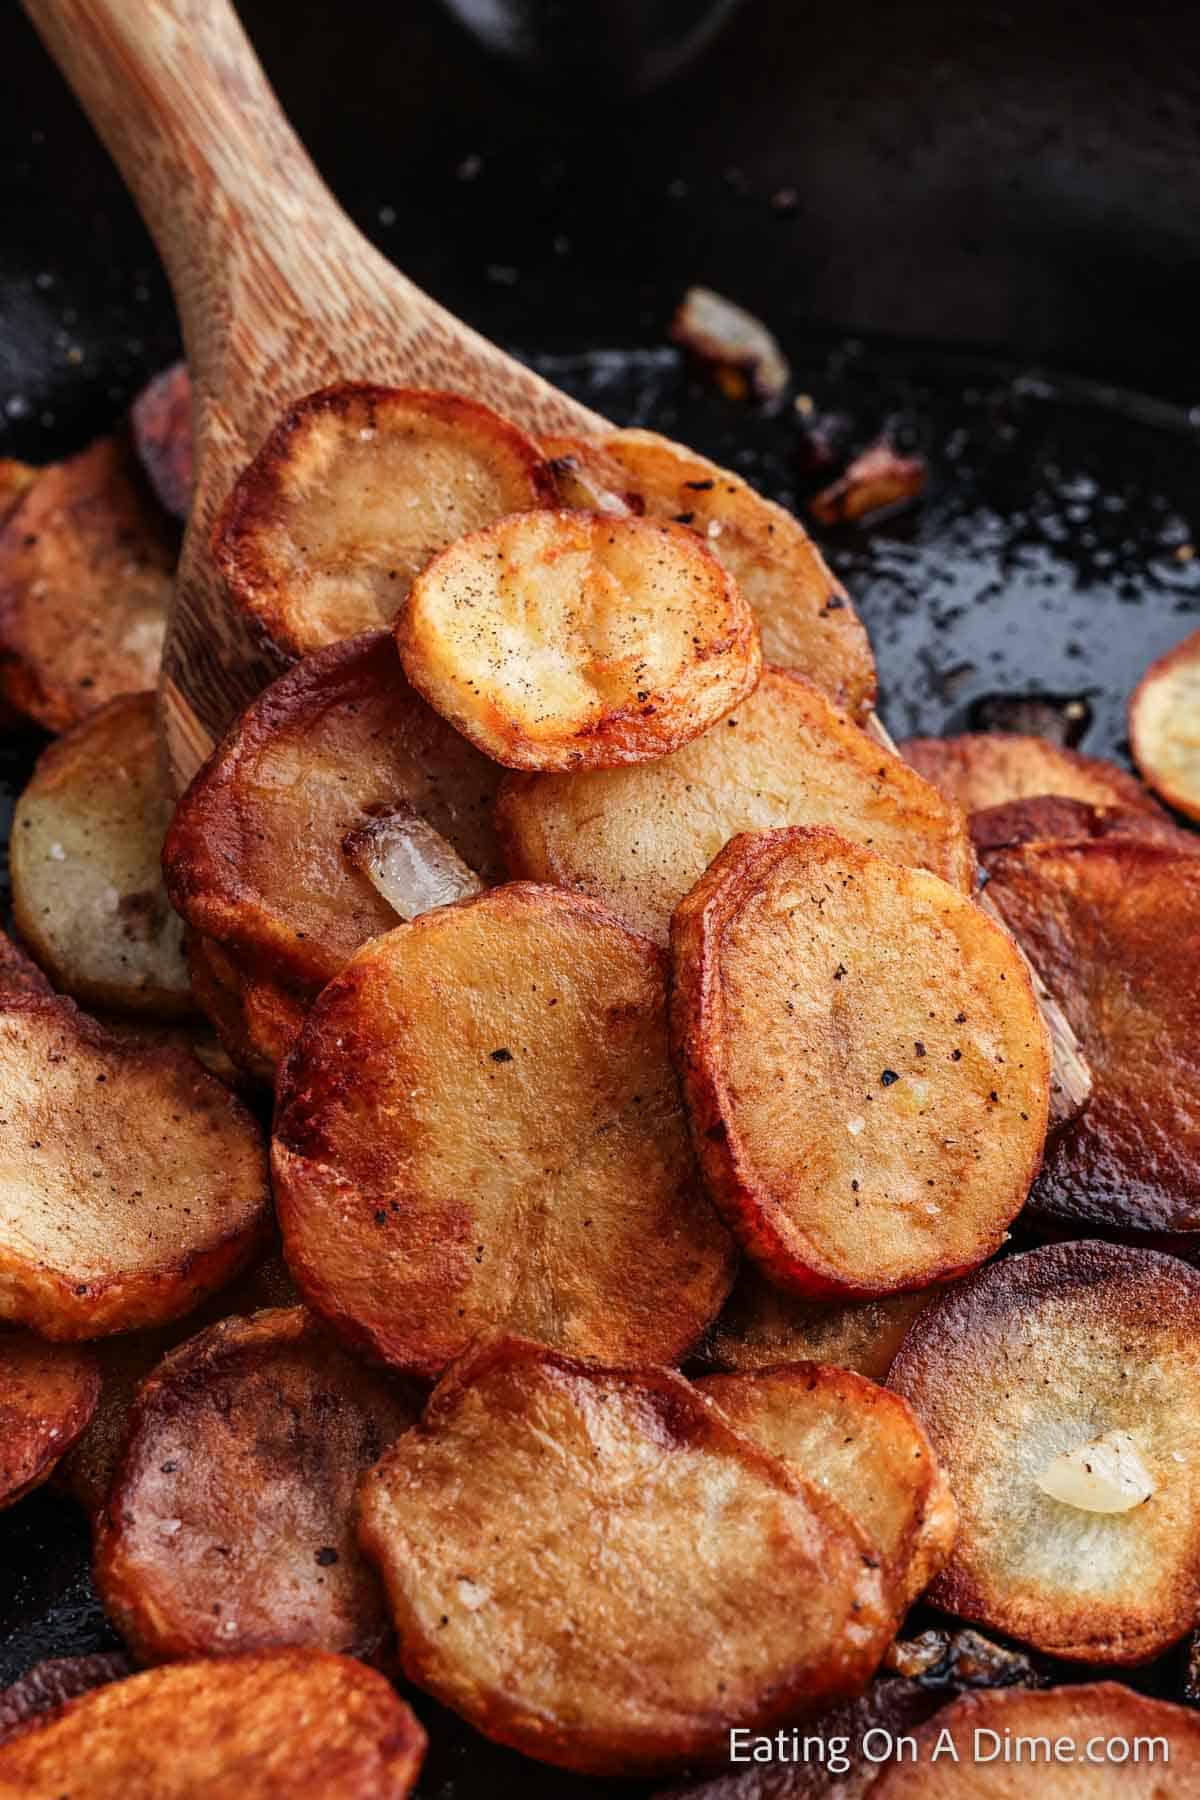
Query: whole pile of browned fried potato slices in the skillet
[{"x": 533, "y": 1182}]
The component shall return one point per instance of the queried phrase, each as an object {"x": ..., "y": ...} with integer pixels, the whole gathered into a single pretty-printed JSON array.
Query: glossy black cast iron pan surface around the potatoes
[{"x": 1052, "y": 553}]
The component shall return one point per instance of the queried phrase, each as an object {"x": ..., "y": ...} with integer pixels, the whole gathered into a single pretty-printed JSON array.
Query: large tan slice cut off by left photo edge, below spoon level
[{"x": 134, "y": 1183}]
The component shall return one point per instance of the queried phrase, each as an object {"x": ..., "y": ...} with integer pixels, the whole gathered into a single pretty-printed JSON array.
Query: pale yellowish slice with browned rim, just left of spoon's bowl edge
[{"x": 85, "y": 865}]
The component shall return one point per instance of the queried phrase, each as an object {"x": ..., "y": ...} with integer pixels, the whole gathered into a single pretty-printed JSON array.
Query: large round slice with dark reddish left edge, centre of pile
[{"x": 479, "y": 1126}]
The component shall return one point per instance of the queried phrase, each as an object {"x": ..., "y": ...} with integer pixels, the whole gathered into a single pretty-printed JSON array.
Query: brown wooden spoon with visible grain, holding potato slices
[{"x": 278, "y": 294}]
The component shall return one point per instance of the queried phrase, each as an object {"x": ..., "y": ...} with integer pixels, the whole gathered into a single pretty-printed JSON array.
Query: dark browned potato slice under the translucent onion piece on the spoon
[{"x": 255, "y": 854}]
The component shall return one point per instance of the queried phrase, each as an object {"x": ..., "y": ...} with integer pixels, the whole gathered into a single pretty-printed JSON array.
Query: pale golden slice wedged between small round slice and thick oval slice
[{"x": 640, "y": 838}]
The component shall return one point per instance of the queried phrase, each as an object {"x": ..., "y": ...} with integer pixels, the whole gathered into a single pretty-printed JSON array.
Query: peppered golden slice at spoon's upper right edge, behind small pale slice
[{"x": 807, "y": 618}]
